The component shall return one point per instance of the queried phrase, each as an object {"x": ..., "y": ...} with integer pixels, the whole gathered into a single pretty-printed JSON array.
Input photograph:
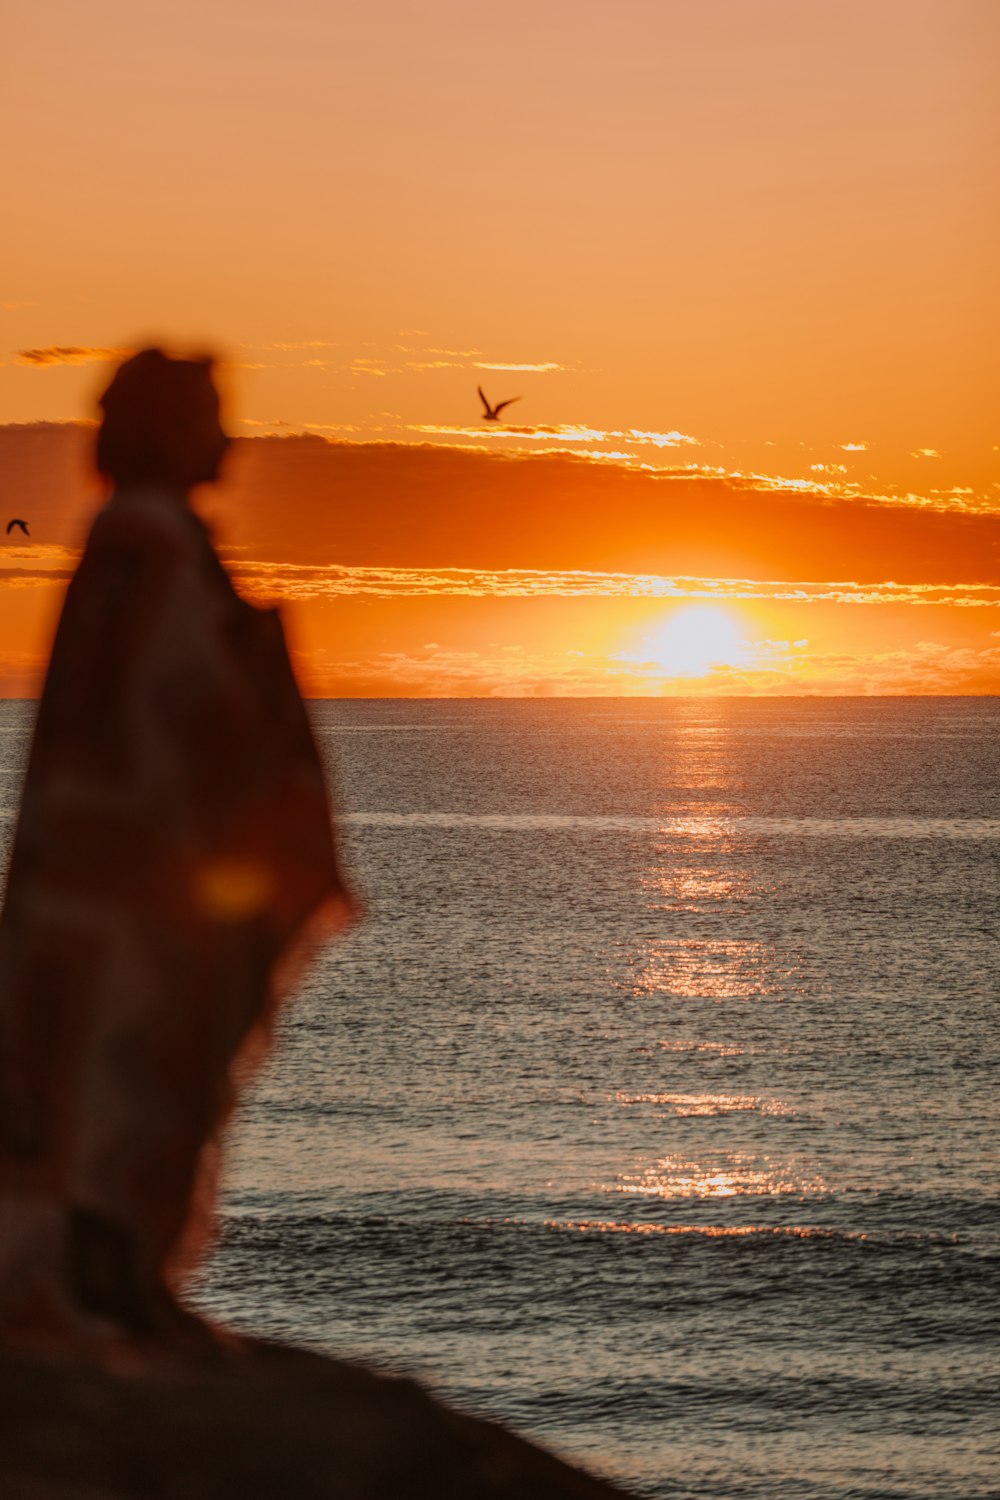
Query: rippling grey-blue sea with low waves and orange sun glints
[{"x": 653, "y": 1109}]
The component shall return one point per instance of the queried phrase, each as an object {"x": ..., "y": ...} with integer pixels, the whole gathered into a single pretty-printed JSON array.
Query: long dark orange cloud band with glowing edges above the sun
[{"x": 311, "y": 500}]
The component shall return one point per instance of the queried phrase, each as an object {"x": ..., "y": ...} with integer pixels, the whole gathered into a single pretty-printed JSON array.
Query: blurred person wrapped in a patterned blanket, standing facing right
[{"x": 173, "y": 862}]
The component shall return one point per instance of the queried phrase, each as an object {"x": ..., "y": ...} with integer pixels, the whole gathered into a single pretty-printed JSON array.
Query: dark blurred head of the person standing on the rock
[{"x": 161, "y": 424}]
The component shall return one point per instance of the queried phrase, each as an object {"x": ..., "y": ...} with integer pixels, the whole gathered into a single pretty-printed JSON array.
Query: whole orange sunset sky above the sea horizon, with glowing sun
[{"x": 738, "y": 260}]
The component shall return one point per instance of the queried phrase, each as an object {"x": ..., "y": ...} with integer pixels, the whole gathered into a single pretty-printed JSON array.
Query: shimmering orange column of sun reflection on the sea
[{"x": 707, "y": 898}]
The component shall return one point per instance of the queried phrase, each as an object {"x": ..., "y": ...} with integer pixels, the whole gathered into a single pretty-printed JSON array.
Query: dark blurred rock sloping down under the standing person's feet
[{"x": 260, "y": 1423}]
